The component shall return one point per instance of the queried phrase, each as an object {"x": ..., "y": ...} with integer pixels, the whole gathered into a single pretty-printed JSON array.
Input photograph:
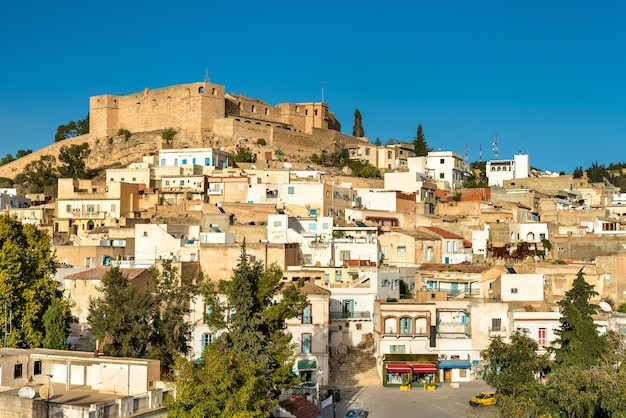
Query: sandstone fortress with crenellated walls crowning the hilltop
[{"x": 202, "y": 111}]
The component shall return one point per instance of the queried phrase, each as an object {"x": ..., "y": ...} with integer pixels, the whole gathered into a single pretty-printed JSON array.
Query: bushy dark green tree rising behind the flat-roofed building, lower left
[{"x": 120, "y": 317}]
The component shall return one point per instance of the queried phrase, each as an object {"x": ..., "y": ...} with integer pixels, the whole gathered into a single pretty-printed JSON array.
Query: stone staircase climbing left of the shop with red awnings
[{"x": 354, "y": 366}]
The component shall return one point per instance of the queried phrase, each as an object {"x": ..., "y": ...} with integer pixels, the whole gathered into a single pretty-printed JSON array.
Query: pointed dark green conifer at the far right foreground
[{"x": 578, "y": 341}]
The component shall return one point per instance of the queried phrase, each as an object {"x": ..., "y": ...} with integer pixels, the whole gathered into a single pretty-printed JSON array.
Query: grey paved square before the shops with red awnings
[{"x": 445, "y": 402}]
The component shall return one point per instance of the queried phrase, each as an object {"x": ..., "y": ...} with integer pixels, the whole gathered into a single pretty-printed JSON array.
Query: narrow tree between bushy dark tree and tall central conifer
[{"x": 171, "y": 332}]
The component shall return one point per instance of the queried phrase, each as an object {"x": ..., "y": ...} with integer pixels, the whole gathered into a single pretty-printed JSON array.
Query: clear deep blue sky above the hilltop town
[{"x": 549, "y": 78}]
